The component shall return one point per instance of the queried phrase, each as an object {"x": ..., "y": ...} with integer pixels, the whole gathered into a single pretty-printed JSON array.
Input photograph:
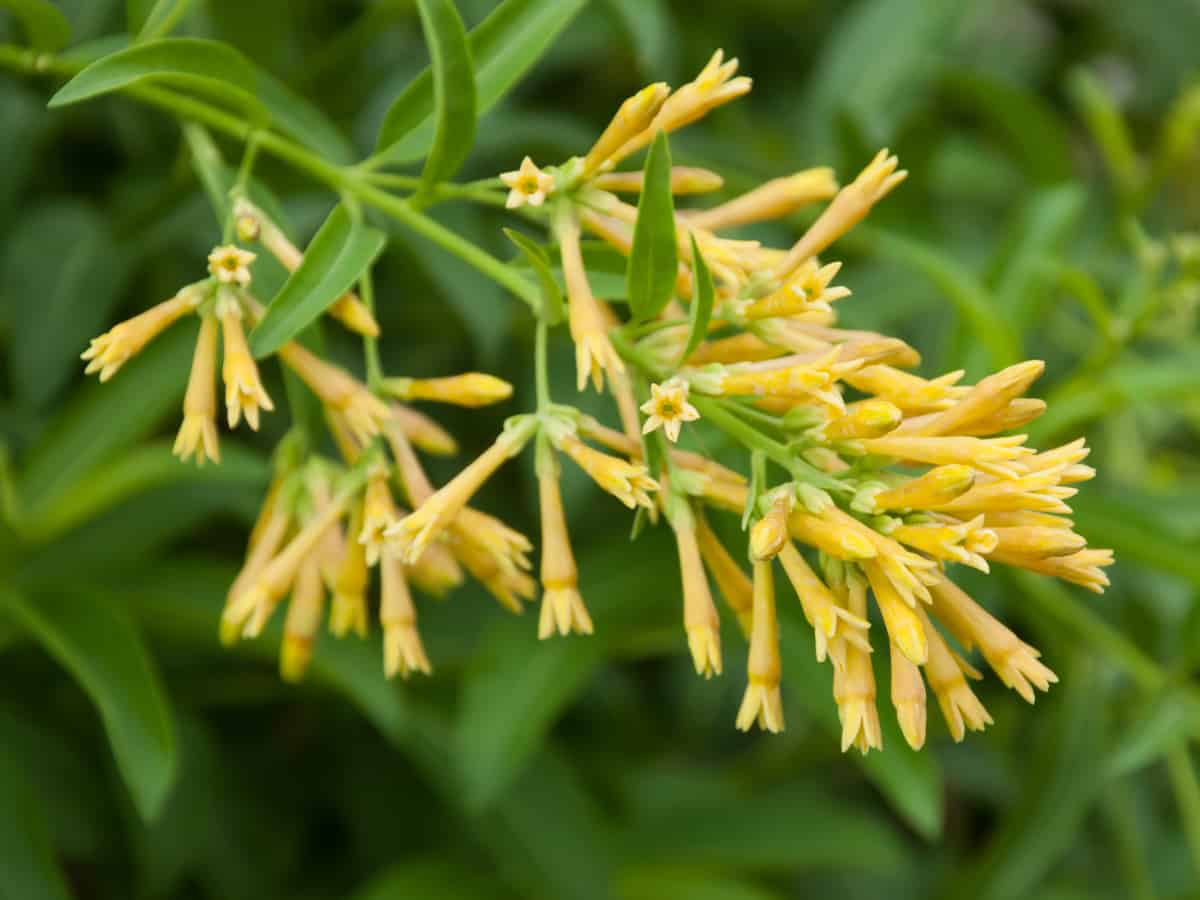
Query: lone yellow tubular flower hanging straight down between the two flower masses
[{"x": 562, "y": 607}]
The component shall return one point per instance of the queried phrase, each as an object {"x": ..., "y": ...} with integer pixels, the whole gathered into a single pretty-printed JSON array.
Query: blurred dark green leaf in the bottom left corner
[{"x": 27, "y": 859}]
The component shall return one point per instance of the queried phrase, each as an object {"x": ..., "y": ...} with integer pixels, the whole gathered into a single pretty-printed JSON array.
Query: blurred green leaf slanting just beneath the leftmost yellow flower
[{"x": 105, "y": 418}]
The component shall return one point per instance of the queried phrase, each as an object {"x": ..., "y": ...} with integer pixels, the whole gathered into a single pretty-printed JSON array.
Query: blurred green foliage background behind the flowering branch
[{"x": 1053, "y": 212}]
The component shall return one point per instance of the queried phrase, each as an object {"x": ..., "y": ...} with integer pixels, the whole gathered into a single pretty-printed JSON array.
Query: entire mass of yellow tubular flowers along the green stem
[{"x": 868, "y": 483}]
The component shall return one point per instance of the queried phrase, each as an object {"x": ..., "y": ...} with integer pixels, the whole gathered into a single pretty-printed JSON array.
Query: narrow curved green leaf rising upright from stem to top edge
[{"x": 454, "y": 89}]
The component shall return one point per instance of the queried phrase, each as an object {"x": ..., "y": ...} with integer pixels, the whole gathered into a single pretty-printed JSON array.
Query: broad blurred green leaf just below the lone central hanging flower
[{"x": 511, "y": 699}]
